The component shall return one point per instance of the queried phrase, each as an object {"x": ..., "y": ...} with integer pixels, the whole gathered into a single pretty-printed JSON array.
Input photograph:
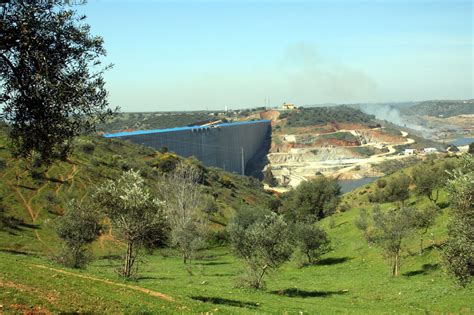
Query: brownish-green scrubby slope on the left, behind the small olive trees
[{"x": 32, "y": 202}]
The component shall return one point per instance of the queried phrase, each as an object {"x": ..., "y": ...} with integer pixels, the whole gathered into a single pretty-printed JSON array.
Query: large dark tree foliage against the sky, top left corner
[{"x": 52, "y": 86}]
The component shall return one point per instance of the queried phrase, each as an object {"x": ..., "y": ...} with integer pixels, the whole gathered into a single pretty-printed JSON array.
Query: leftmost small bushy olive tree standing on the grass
[{"x": 78, "y": 227}]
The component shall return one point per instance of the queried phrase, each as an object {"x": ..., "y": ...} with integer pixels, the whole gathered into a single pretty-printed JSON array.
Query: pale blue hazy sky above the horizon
[{"x": 190, "y": 55}]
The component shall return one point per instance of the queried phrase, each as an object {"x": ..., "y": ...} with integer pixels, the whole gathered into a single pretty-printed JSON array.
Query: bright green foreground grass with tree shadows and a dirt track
[{"x": 352, "y": 278}]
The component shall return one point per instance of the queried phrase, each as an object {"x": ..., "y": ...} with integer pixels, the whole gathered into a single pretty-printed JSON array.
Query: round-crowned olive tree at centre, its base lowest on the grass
[{"x": 262, "y": 240}]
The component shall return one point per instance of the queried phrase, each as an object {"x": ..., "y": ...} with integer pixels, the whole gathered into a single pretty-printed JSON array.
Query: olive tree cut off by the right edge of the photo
[{"x": 459, "y": 248}]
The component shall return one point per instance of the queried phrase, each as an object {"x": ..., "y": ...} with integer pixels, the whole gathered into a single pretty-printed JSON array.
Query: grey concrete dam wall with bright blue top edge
[{"x": 238, "y": 147}]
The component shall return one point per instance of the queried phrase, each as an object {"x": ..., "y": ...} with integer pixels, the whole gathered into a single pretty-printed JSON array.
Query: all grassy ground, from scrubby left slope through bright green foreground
[{"x": 352, "y": 278}]
